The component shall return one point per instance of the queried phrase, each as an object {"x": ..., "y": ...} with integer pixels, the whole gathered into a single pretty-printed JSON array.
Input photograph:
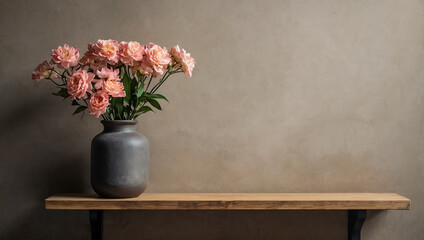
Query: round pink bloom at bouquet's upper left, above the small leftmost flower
[{"x": 65, "y": 56}]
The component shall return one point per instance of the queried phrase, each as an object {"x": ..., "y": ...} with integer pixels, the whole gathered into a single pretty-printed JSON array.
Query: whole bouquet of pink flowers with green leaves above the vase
[{"x": 114, "y": 80}]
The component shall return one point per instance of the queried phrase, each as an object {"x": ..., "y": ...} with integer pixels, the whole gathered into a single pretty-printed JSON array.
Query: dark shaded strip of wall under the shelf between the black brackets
[{"x": 235, "y": 225}]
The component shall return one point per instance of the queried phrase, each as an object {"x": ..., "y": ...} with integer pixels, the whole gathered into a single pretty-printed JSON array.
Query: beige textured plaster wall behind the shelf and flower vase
[{"x": 287, "y": 96}]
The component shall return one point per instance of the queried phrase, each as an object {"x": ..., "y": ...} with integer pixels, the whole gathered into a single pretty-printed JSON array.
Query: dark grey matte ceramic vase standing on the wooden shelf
[{"x": 119, "y": 160}]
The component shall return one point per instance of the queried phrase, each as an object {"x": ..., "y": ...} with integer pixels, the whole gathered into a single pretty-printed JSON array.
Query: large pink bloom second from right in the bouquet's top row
[{"x": 156, "y": 59}]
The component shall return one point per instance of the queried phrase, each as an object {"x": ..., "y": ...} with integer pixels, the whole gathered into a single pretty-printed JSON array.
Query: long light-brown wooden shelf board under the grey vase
[{"x": 236, "y": 201}]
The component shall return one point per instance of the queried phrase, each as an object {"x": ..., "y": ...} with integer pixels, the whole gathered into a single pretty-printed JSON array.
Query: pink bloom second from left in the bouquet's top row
[{"x": 106, "y": 49}]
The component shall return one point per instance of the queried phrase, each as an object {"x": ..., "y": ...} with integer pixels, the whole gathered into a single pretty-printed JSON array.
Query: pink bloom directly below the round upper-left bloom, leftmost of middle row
[{"x": 79, "y": 83}]
